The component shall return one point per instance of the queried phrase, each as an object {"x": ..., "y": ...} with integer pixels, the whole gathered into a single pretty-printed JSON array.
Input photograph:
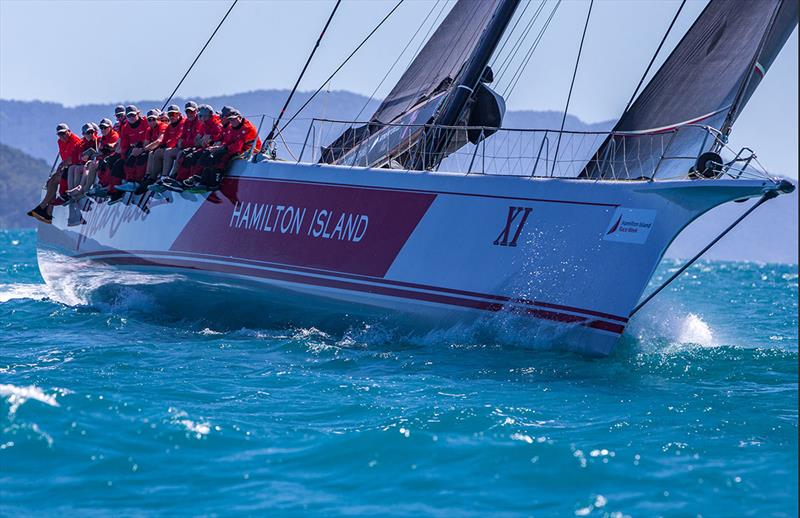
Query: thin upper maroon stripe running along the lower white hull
[{"x": 379, "y": 280}]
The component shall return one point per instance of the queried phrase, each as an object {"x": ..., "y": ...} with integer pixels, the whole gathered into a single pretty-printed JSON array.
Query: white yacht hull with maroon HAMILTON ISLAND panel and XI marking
[{"x": 574, "y": 255}]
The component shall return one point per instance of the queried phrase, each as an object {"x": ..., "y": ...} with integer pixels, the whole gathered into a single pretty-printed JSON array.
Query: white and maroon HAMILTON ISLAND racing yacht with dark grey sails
[{"x": 432, "y": 212}]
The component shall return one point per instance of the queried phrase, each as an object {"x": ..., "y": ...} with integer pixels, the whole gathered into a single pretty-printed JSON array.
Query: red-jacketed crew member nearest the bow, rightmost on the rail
[{"x": 238, "y": 137}]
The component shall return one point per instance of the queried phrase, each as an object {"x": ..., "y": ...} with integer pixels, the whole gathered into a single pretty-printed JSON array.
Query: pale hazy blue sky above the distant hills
[{"x": 77, "y": 52}]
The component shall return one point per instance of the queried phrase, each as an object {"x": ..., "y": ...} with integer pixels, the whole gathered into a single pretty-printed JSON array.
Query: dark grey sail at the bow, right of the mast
[{"x": 706, "y": 81}]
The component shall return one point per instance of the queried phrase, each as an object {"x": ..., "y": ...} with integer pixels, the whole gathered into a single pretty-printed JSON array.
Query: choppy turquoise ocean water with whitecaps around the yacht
[{"x": 110, "y": 410}]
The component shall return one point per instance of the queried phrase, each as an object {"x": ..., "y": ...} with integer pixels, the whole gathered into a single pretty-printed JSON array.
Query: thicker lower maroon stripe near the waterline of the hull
[{"x": 189, "y": 263}]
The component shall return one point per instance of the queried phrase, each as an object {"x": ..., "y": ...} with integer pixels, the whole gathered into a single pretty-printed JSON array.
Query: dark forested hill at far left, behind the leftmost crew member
[{"x": 21, "y": 180}]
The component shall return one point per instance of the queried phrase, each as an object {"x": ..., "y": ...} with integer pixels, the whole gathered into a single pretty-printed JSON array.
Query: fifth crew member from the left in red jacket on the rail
[{"x": 133, "y": 139}]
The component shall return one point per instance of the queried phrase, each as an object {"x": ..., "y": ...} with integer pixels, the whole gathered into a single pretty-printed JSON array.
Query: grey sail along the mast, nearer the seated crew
[{"x": 468, "y": 33}]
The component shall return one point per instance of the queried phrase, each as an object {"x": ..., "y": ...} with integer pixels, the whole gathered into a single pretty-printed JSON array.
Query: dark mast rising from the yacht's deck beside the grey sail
[{"x": 458, "y": 98}]
